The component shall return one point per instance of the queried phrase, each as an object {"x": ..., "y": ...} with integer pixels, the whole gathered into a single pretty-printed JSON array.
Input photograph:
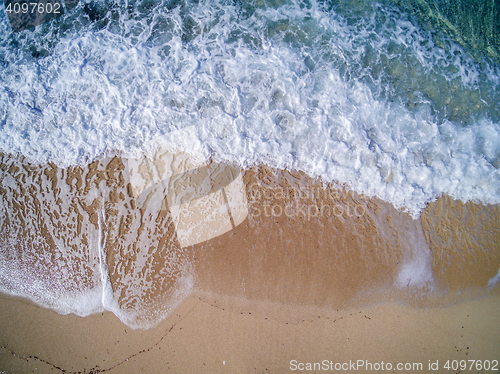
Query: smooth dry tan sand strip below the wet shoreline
[{"x": 213, "y": 334}]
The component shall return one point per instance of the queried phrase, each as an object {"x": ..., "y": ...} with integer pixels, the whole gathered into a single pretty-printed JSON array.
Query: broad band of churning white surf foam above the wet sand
[{"x": 365, "y": 104}]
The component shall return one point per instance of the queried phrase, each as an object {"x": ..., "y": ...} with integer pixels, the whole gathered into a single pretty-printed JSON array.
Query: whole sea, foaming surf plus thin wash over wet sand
[{"x": 398, "y": 104}]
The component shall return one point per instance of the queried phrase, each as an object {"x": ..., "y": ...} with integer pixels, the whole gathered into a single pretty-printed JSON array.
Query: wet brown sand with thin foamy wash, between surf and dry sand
[{"x": 136, "y": 236}]
